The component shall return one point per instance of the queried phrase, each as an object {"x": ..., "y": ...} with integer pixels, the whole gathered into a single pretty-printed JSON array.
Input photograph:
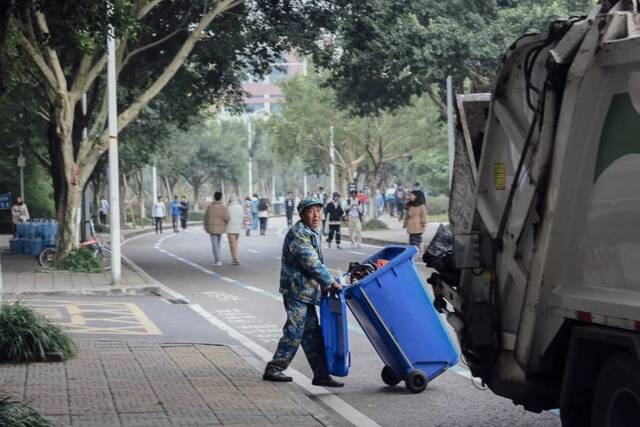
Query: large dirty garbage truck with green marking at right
[{"x": 543, "y": 283}]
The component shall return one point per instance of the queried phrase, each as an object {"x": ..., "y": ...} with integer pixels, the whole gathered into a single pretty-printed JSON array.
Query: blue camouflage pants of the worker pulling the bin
[{"x": 301, "y": 327}]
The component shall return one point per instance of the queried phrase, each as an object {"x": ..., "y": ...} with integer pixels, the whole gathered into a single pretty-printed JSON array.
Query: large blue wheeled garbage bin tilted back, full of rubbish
[{"x": 396, "y": 313}]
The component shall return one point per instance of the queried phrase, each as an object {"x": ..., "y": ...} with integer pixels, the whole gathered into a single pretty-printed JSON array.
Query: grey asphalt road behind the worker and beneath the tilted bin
[{"x": 242, "y": 303}]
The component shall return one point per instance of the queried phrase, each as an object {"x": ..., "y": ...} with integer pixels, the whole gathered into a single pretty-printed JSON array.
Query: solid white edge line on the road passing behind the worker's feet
[{"x": 347, "y": 411}]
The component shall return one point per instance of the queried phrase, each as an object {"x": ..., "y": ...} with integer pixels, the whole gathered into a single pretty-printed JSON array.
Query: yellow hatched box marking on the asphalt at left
[{"x": 89, "y": 317}]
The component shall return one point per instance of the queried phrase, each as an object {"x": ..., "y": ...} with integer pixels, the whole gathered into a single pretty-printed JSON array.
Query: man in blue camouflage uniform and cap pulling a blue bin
[{"x": 303, "y": 277}]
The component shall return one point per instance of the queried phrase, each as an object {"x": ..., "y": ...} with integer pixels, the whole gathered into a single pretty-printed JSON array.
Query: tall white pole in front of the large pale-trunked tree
[{"x": 114, "y": 184}]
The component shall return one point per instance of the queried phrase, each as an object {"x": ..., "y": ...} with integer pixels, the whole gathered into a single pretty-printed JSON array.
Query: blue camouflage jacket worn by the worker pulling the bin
[{"x": 303, "y": 273}]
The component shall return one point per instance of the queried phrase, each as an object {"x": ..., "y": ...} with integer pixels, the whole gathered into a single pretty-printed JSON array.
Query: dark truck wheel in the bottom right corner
[{"x": 616, "y": 396}]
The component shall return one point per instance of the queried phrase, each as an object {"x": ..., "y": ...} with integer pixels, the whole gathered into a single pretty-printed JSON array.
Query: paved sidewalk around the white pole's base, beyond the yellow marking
[{"x": 21, "y": 275}]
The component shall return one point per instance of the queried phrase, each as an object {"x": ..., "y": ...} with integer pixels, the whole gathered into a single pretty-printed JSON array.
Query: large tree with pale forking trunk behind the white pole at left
[{"x": 64, "y": 43}]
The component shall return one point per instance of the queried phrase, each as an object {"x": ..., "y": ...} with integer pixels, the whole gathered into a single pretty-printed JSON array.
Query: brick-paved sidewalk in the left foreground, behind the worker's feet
[{"x": 118, "y": 383}]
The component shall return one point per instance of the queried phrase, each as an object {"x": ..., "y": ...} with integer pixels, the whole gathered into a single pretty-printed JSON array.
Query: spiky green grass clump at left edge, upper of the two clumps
[{"x": 27, "y": 336}]
